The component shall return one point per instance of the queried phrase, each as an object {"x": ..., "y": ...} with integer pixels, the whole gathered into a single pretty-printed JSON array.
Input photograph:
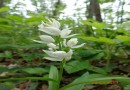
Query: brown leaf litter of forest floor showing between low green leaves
[{"x": 123, "y": 70}]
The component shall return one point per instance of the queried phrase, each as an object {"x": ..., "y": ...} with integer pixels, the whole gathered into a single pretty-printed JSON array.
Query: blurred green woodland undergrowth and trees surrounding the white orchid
[{"x": 103, "y": 63}]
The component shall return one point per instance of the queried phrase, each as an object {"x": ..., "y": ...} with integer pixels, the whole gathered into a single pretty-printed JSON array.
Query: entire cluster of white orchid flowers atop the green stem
[{"x": 59, "y": 42}]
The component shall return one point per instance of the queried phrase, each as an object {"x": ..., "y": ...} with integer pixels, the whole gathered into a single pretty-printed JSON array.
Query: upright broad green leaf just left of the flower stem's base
[{"x": 53, "y": 74}]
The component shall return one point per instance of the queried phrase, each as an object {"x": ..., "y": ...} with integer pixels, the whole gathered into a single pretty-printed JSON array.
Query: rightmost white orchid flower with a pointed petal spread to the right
[{"x": 73, "y": 43}]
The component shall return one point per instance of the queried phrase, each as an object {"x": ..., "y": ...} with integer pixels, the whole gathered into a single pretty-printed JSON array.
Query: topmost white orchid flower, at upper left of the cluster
[{"x": 51, "y": 29}]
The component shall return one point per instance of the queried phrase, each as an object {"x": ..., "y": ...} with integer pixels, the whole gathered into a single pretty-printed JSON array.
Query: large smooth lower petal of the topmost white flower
[{"x": 51, "y": 30}]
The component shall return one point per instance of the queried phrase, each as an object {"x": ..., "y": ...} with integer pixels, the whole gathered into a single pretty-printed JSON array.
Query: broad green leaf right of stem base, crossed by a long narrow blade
[{"x": 84, "y": 77}]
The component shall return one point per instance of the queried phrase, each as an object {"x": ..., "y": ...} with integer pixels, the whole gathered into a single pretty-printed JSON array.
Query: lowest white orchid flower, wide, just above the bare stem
[{"x": 58, "y": 55}]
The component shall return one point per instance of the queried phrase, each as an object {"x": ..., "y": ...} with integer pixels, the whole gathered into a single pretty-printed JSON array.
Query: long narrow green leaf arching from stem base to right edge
[{"x": 98, "y": 78}]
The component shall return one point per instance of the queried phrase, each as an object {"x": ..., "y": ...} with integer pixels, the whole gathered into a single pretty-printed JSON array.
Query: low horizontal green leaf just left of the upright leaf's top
[{"x": 35, "y": 70}]
